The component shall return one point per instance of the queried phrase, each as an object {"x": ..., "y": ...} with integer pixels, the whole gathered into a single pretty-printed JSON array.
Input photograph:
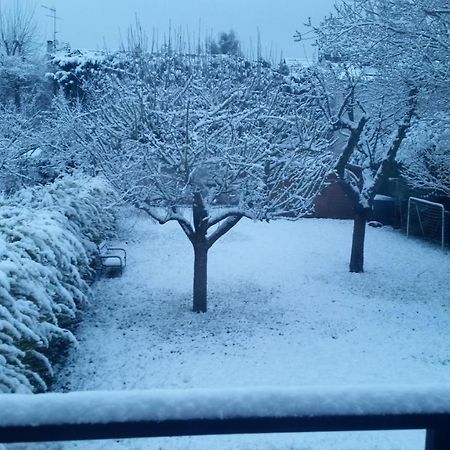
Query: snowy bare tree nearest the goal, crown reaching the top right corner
[{"x": 390, "y": 63}]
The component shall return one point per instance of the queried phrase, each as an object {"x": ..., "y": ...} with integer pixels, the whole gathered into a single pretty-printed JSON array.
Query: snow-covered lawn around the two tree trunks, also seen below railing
[{"x": 283, "y": 311}]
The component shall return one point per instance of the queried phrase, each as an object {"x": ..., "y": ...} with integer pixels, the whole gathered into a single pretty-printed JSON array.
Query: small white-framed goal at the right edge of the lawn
[{"x": 426, "y": 219}]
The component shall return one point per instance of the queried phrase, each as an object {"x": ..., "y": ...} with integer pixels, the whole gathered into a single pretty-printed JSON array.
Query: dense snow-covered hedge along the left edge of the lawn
[{"x": 47, "y": 242}]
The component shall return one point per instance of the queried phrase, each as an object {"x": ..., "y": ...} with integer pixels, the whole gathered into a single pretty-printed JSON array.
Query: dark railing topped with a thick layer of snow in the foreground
[{"x": 156, "y": 413}]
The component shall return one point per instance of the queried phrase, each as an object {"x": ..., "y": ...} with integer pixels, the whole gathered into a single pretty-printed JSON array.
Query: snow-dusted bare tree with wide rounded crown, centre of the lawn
[{"x": 206, "y": 143}]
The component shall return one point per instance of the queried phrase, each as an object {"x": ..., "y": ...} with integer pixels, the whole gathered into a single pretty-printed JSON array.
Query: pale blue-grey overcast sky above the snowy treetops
[{"x": 94, "y": 23}]
